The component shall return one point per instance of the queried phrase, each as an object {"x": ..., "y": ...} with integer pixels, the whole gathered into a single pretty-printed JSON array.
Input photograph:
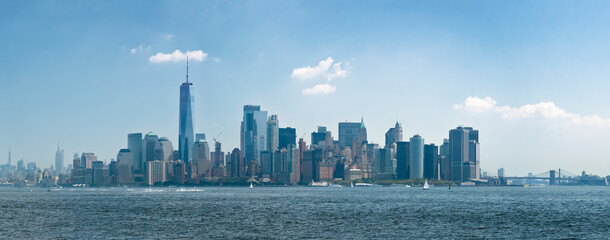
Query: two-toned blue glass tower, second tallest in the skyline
[{"x": 253, "y": 138}]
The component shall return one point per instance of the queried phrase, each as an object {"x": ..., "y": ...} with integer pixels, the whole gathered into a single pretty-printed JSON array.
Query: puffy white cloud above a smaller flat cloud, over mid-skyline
[{"x": 325, "y": 69}]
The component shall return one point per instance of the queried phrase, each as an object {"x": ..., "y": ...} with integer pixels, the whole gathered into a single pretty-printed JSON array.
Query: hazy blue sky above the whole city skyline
[{"x": 81, "y": 73}]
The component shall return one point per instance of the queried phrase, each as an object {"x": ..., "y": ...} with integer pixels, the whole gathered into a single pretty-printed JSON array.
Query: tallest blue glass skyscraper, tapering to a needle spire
[{"x": 186, "y": 134}]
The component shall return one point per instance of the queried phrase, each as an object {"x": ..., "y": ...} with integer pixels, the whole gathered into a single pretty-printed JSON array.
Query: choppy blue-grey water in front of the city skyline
[{"x": 302, "y": 212}]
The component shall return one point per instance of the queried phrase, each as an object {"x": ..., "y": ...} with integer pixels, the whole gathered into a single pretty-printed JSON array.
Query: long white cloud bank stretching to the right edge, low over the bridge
[{"x": 544, "y": 110}]
